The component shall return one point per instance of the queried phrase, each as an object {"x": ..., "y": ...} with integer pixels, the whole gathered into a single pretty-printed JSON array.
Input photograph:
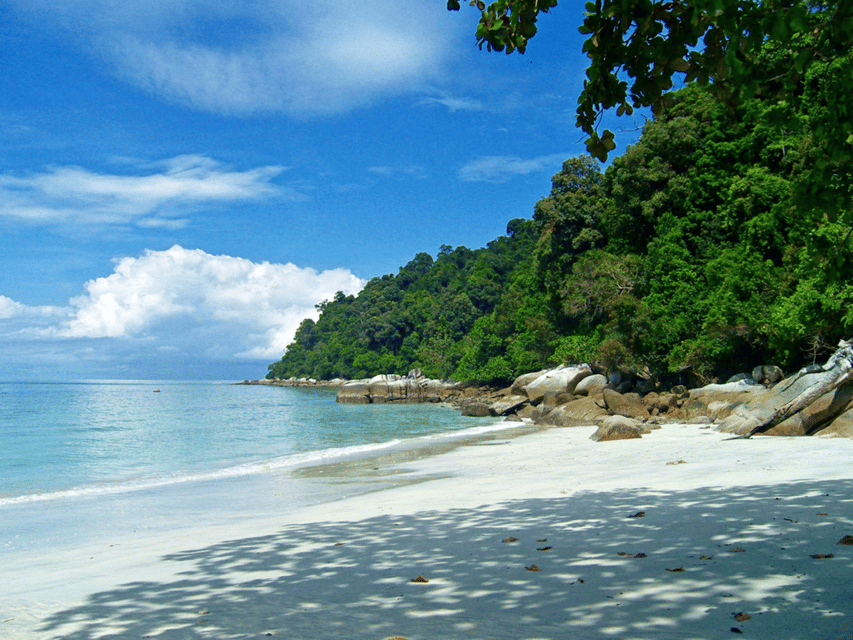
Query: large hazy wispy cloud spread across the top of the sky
[{"x": 325, "y": 56}]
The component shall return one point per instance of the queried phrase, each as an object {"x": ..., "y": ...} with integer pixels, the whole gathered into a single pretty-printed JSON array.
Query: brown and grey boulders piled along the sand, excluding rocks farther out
[{"x": 575, "y": 396}]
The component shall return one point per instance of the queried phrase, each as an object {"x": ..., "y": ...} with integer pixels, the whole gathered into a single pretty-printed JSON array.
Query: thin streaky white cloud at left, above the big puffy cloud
[{"x": 150, "y": 197}]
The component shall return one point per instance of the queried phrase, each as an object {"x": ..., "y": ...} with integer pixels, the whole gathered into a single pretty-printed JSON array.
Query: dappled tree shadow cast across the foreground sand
[{"x": 353, "y": 579}]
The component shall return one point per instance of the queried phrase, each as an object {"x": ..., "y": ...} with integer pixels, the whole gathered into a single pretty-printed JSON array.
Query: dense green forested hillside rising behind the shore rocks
[{"x": 686, "y": 253}]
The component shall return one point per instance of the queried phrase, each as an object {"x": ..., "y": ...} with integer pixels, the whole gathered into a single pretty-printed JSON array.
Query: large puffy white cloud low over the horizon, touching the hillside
[{"x": 204, "y": 306}]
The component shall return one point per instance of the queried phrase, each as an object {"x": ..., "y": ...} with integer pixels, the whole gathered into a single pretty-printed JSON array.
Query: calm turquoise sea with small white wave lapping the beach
[{"x": 102, "y": 459}]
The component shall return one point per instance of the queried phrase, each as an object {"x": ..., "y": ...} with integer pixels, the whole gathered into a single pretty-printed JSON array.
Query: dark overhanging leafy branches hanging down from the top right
[{"x": 739, "y": 49}]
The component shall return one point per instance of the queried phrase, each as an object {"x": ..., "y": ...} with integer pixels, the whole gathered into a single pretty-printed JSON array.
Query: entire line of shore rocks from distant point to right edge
[{"x": 620, "y": 406}]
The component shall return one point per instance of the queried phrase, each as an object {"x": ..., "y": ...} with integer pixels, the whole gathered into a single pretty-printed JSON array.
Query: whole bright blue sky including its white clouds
[{"x": 181, "y": 181}]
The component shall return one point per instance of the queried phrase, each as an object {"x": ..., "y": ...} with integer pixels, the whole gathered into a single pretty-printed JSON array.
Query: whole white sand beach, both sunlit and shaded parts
[{"x": 683, "y": 534}]
